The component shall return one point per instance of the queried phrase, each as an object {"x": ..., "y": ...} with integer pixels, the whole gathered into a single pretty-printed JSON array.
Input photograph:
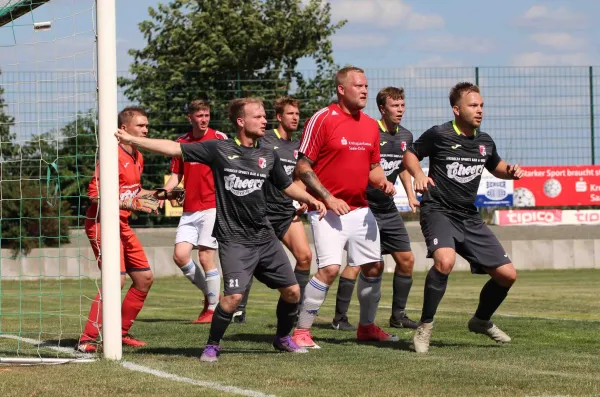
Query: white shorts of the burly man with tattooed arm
[{"x": 357, "y": 232}]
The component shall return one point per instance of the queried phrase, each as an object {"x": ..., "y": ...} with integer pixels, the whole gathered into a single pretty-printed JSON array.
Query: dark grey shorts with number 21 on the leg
[{"x": 267, "y": 262}]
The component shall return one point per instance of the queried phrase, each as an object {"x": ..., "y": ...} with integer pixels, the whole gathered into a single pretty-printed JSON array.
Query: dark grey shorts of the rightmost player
[{"x": 471, "y": 238}]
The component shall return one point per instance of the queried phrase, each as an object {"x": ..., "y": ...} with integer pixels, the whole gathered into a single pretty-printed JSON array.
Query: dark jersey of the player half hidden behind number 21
[{"x": 278, "y": 204}]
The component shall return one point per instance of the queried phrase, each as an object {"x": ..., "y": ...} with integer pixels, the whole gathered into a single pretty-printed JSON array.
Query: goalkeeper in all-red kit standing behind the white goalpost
[{"x": 133, "y": 259}]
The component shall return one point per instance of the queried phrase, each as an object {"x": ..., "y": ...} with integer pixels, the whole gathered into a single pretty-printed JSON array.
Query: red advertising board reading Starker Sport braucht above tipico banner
[{"x": 558, "y": 186}]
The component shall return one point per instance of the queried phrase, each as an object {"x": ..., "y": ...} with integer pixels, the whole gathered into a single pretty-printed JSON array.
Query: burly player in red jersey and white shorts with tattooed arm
[{"x": 339, "y": 158}]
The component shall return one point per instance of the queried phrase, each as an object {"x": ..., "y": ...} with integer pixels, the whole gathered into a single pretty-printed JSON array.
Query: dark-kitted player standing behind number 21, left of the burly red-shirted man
[{"x": 281, "y": 210}]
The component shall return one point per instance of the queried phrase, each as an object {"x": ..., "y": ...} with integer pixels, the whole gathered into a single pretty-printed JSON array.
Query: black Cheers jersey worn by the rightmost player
[{"x": 456, "y": 163}]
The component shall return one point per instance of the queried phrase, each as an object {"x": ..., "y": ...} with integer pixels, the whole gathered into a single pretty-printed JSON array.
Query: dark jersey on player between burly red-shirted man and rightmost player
[{"x": 392, "y": 146}]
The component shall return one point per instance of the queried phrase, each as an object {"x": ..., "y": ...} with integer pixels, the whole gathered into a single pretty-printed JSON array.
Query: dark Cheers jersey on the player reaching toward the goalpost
[{"x": 239, "y": 173}]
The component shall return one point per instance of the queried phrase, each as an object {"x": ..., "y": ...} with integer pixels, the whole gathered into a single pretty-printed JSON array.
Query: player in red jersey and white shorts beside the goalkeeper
[{"x": 198, "y": 219}]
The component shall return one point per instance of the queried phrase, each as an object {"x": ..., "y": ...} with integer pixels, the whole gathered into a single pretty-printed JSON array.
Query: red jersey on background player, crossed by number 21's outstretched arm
[{"x": 197, "y": 178}]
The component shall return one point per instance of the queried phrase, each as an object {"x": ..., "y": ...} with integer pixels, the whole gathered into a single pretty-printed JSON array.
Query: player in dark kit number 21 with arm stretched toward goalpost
[{"x": 247, "y": 243}]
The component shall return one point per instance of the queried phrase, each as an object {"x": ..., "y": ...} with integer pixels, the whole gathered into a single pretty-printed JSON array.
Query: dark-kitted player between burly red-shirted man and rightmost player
[{"x": 394, "y": 141}]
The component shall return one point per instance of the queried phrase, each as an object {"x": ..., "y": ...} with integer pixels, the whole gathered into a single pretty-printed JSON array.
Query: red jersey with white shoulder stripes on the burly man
[{"x": 343, "y": 147}]
